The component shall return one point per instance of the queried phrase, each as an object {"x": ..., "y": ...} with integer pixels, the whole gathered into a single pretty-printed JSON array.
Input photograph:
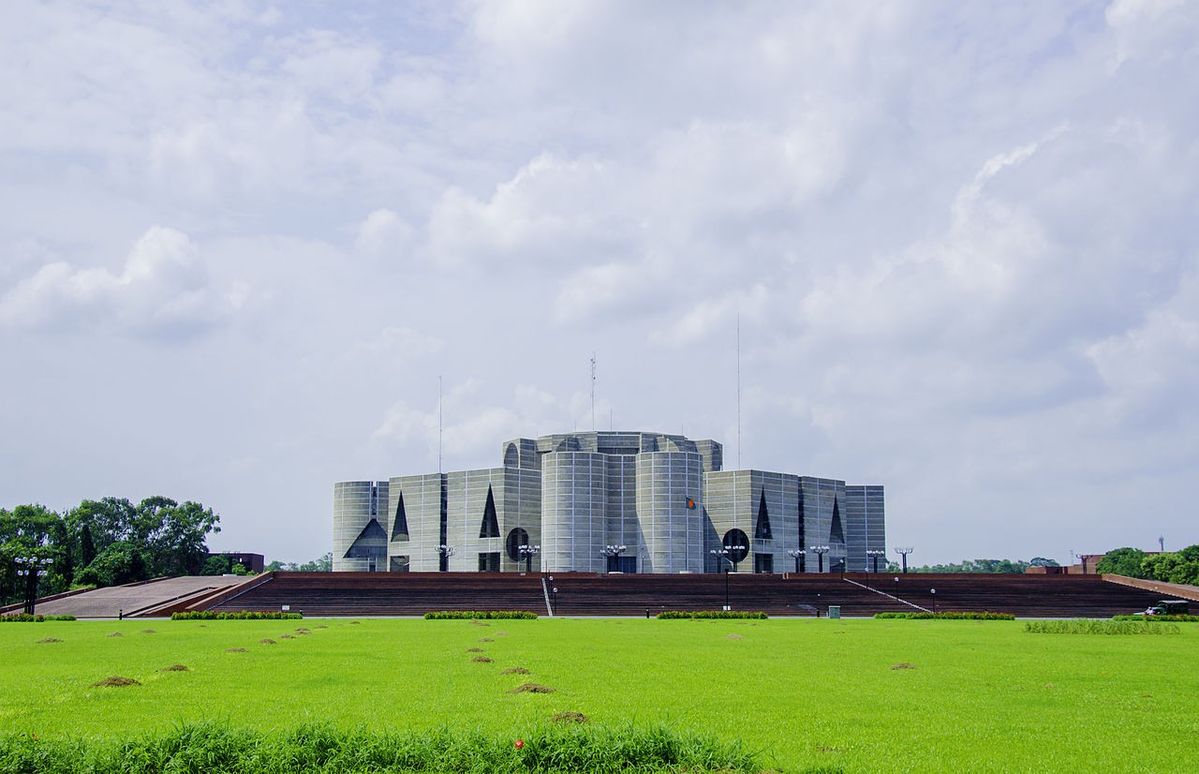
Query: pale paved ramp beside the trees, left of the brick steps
[{"x": 138, "y": 598}]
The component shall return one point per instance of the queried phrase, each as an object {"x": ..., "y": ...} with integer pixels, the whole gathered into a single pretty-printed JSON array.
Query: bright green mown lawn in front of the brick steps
[{"x": 858, "y": 696}]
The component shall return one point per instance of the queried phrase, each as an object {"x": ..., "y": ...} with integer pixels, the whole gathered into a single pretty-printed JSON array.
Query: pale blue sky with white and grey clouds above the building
[{"x": 242, "y": 243}]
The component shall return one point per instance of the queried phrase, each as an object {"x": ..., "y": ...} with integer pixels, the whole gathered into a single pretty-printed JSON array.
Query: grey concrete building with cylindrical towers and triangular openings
[{"x": 665, "y": 499}]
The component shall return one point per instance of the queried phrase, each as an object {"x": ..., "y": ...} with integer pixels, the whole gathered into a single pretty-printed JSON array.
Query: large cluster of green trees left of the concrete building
[{"x": 105, "y": 542}]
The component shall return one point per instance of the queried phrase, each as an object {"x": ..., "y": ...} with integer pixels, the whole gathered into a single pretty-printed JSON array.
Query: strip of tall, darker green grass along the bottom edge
[{"x": 214, "y": 749}]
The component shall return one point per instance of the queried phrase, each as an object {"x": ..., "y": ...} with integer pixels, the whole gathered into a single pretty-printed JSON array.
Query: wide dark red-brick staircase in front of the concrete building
[{"x": 591, "y": 595}]
